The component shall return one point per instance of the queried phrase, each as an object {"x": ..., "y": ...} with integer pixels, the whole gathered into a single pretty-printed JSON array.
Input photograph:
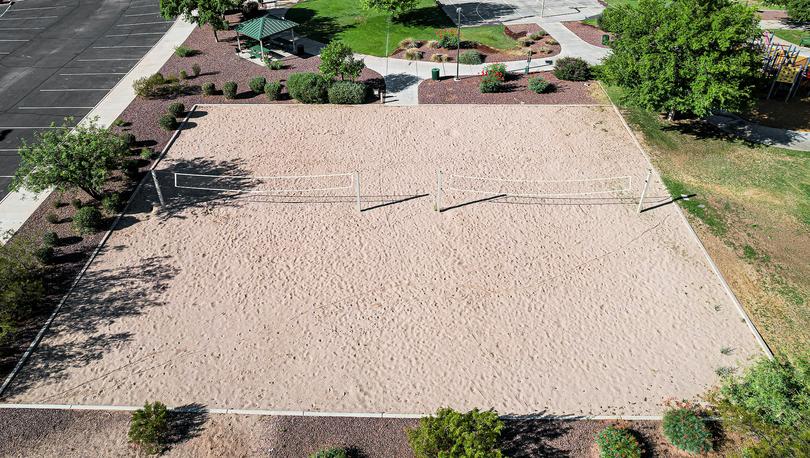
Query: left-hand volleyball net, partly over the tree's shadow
[{"x": 265, "y": 184}]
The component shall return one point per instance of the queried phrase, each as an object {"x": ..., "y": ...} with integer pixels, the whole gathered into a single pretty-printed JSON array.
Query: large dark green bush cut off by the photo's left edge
[{"x": 21, "y": 285}]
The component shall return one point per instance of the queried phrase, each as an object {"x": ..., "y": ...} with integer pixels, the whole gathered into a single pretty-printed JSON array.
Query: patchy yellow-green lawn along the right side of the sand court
[{"x": 752, "y": 211}]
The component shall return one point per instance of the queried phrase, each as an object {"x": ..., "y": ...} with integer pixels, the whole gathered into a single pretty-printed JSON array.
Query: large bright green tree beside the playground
[{"x": 684, "y": 56}]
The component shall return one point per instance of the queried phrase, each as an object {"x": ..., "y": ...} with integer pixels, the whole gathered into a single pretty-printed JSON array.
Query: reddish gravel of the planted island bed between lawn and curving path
[{"x": 543, "y": 48}]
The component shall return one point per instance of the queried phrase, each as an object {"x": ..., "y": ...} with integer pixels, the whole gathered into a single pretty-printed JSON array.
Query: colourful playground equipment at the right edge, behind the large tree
[{"x": 783, "y": 64}]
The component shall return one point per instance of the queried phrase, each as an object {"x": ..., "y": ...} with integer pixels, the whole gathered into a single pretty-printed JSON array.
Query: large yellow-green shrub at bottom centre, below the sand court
[{"x": 454, "y": 434}]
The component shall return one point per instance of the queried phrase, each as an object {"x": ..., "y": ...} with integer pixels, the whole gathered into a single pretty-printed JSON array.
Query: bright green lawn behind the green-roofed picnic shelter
[{"x": 365, "y": 30}]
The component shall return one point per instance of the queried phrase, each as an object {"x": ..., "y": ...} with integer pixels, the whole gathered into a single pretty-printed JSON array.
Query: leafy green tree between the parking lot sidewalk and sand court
[{"x": 70, "y": 158}]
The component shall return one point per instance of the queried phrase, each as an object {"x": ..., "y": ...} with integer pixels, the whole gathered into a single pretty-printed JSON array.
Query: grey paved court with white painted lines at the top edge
[{"x": 497, "y": 11}]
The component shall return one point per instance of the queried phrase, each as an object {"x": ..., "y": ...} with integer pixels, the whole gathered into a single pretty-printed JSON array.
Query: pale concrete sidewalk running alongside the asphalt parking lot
[{"x": 18, "y": 206}]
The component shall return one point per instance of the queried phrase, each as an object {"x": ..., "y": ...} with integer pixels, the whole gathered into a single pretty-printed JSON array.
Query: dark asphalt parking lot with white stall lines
[{"x": 60, "y": 58}]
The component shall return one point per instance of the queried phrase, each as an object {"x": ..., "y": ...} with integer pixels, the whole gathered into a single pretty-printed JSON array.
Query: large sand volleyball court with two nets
[{"x": 574, "y": 304}]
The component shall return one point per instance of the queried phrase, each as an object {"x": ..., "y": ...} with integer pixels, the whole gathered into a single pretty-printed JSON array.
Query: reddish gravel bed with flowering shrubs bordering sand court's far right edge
[{"x": 447, "y": 91}]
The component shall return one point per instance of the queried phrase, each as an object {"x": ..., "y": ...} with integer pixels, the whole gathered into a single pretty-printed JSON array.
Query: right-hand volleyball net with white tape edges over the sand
[{"x": 538, "y": 188}]
